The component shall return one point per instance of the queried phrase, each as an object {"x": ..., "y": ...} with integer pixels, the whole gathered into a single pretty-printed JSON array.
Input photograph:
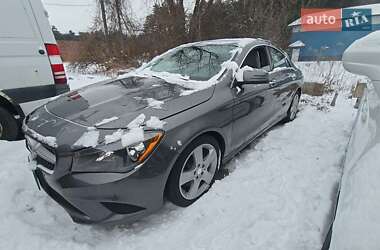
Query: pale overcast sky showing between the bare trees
[{"x": 78, "y": 15}]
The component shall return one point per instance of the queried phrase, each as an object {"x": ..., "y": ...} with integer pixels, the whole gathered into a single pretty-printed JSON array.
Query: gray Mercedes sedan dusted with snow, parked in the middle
[{"x": 116, "y": 150}]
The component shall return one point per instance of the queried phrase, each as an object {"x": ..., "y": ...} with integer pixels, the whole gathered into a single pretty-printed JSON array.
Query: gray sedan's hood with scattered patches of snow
[{"x": 121, "y": 101}]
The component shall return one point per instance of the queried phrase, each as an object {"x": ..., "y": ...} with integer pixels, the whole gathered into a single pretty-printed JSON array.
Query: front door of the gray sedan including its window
[{"x": 253, "y": 103}]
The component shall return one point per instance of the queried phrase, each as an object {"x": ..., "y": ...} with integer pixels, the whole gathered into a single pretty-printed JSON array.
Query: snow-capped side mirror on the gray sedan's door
[{"x": 248, "y": 75}]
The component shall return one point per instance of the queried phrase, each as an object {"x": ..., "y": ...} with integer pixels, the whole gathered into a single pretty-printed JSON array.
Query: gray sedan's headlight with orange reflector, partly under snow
[{"x": 115, "y": 158}]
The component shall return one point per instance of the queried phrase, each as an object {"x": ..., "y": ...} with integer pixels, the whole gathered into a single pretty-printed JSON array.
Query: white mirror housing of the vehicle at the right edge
[{"x": 363, "y": 57}]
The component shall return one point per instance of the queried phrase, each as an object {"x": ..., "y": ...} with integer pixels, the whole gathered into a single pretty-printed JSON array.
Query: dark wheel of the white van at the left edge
[{"x": 8, "y": 126}]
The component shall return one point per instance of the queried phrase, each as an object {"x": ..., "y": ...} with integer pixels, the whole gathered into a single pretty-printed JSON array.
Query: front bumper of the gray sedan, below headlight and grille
[{"x": 103, "y": 198}]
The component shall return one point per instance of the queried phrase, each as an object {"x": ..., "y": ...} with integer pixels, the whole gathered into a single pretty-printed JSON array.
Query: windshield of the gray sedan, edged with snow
[{"x": 198, "y": 63}]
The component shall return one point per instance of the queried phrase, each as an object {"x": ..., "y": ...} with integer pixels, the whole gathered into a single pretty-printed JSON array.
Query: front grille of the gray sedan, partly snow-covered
[{"x": 43, "y": 154}]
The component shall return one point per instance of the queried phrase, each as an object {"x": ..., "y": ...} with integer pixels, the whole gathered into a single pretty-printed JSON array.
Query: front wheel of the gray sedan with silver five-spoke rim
[{"x": 188, "y": 172}]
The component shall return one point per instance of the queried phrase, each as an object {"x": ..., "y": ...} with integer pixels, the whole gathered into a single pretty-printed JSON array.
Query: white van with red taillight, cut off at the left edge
[{"x": 30, "y": 63}]
